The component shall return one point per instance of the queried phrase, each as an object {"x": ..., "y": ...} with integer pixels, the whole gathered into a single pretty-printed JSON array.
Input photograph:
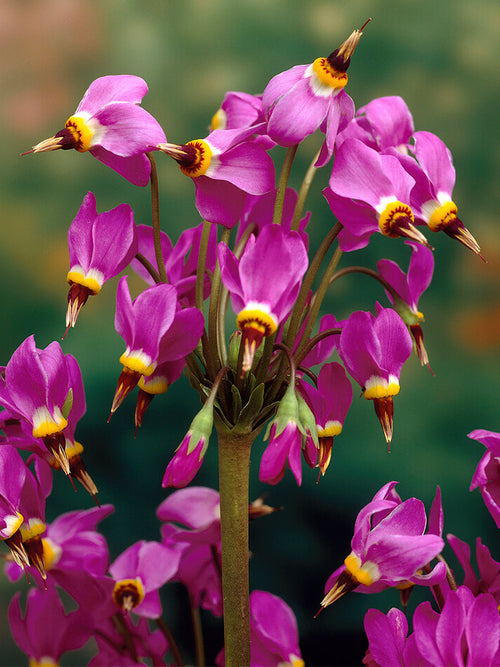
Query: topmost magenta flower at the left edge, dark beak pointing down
[{"x": 35, "y": 389}]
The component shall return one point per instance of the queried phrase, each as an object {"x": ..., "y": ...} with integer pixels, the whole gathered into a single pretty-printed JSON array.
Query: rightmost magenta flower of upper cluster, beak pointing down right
[{"x": 431, "y": 197}]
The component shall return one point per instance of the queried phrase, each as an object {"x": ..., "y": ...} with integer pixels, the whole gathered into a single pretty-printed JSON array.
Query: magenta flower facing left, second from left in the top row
[{"x": 224, "y": 168}]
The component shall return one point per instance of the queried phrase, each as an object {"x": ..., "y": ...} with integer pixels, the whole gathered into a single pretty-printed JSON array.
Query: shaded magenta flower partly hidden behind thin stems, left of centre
[{"x": 181, "y": 260}]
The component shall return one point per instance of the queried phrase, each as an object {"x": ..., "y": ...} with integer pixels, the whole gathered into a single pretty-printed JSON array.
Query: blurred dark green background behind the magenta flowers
[{"x": 442, "y": 58}]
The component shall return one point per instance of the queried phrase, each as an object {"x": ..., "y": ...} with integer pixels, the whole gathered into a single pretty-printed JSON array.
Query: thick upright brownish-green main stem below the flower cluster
[{"x": 234, "y": 463}]
